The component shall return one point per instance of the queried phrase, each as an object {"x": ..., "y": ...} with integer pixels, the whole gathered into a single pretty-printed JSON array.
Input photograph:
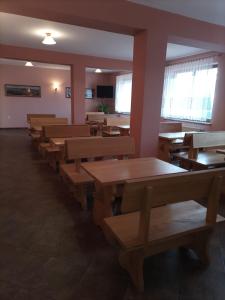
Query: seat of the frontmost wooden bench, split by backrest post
[{"x": 166, "y": 222}]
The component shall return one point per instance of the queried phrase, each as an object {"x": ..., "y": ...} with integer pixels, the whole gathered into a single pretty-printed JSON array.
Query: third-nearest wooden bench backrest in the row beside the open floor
[{"x": 61, "y": 131}]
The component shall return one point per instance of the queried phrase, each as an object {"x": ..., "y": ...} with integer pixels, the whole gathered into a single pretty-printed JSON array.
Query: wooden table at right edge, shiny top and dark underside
[{"x": 205, "y": 160}]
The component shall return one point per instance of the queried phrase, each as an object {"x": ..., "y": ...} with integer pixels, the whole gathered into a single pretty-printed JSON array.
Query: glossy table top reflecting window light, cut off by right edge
[{"x": 208, "y": 158}]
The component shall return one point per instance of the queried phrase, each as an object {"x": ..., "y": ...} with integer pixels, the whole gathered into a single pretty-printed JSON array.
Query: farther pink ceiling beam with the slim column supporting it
[{"x": 78, "y": 64}]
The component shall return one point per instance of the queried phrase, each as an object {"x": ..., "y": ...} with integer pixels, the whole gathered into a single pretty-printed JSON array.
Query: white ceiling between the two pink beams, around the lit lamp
[{"x": 29, "y": 32}]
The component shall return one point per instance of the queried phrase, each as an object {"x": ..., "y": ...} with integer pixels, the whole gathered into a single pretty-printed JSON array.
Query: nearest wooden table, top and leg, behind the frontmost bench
[{"x": 110, "y": 174}]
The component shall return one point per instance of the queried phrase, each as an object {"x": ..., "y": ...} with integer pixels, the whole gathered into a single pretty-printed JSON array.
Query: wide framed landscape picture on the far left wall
[{"x": 15, "y": 90}]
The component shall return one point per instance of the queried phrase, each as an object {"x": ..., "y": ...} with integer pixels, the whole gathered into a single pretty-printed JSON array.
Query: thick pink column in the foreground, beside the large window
[{"x": 148, "y": 75}]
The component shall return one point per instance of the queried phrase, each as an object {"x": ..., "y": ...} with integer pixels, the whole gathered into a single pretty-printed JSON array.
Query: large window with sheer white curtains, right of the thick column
[{"x": 189, "y": 90}]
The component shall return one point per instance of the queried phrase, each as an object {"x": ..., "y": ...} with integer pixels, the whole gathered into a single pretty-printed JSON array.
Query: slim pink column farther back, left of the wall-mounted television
[{"x": 77, "y": 93}]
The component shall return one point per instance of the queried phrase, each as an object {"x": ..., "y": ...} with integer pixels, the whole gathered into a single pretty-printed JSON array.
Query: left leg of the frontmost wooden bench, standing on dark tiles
[{"x": 133, "y": 263}]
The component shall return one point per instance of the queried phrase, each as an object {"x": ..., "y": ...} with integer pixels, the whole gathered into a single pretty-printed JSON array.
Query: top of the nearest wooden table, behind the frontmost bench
[{"x": 109, "y": 172}]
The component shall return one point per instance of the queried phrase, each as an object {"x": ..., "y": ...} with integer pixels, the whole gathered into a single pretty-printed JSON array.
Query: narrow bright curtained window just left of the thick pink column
[{"x": 123, "y": 93}]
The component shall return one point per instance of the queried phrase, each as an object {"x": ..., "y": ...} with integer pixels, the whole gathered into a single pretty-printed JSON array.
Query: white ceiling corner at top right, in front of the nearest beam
[{"x": 212, "y": 11}]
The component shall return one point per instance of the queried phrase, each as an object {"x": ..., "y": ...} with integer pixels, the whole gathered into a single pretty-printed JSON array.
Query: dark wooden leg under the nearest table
[{"x": 102, "y": 203}]
